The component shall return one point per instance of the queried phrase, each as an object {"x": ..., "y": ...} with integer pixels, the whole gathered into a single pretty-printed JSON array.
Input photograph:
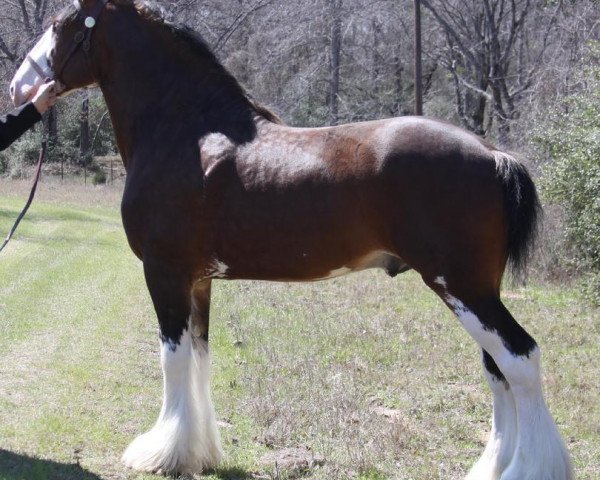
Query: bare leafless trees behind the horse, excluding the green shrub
[{"x": 494, "y": 66}]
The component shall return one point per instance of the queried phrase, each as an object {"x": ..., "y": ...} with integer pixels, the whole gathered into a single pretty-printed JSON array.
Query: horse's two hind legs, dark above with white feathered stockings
[{"x": 535, "y": 450}]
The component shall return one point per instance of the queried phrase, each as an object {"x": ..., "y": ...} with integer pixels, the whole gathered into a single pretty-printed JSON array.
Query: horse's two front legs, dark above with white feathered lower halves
[{"x": 185, "y": 437}]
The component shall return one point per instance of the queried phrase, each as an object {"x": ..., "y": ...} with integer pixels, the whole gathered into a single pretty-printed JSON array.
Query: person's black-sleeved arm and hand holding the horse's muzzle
[{"x": 16, "y": 123}]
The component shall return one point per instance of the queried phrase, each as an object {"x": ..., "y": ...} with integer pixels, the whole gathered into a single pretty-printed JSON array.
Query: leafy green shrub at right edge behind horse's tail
[{"x": 572, "y": 177}]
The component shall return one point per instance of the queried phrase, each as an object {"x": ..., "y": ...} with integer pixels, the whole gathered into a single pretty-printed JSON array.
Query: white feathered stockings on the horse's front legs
[{"x": 185, "y": 438}]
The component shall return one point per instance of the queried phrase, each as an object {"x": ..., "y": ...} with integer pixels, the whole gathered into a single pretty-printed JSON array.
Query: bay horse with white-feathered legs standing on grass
[{"x": 218, "y": 188}]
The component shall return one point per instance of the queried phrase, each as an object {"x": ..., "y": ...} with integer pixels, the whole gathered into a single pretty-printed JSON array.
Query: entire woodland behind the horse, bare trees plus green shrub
[{"x": 522, "y": 73}]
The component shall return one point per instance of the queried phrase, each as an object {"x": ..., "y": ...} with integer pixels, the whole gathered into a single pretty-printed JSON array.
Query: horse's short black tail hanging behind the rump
[{"x": 523, "y": 210}]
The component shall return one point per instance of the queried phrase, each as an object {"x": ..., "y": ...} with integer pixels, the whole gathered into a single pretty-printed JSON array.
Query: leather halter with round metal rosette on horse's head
[{"x": 81, "y": 39}]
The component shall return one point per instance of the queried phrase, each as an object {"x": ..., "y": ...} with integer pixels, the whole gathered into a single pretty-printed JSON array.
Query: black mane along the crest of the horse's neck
[{"x": 198, "y": 46}]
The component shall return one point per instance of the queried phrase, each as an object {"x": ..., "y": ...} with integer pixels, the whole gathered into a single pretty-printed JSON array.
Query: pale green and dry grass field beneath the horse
[{"x": 371, "y": 374}]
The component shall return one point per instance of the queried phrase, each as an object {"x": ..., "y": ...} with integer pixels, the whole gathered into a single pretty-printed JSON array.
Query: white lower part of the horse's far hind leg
[{"x": 501, "y": 444}]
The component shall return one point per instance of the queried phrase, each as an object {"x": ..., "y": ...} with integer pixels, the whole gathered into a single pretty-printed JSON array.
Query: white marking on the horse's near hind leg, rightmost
[{"x": 539, "y": 453}]
